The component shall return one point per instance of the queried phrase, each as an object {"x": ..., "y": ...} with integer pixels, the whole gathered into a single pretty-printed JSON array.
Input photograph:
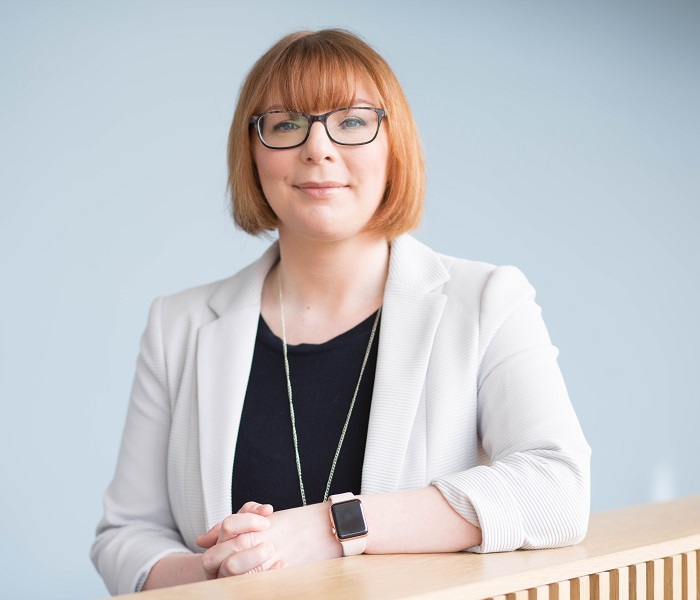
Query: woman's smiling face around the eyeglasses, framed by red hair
[{"x": 323, "y": 191}]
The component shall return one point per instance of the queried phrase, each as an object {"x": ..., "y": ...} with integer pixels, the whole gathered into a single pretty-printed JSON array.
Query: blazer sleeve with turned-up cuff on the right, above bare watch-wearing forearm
[{"x": 534, "y": 492}]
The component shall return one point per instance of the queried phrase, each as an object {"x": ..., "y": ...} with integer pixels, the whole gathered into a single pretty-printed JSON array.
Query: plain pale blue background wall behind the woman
[{"x": 560, "y": 136}]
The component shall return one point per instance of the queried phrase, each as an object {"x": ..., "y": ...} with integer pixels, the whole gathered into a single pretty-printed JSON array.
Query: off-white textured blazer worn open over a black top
[{"x": 467, "y": 395}]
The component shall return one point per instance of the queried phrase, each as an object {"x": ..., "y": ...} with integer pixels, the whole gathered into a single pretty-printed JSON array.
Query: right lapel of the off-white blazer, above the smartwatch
[{"x": 413, "y": 307}]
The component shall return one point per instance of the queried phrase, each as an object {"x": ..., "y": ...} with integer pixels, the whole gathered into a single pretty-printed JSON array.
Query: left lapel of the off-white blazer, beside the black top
[{"x": 224, "y": 356}]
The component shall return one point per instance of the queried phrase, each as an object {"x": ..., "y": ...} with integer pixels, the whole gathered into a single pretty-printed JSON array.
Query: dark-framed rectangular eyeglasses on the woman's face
[{"x": 352, "y": 126}]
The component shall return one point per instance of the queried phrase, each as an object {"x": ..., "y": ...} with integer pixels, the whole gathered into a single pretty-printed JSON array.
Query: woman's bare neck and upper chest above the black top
[{"x": 328, "y": 287}]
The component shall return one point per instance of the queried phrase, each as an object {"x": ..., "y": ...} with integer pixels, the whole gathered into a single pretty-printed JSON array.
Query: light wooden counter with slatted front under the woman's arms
[{"x": 649, "y": 552}]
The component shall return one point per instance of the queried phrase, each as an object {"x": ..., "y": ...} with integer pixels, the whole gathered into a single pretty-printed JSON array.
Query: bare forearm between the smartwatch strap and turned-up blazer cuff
[{"x": 416, "y": 521}]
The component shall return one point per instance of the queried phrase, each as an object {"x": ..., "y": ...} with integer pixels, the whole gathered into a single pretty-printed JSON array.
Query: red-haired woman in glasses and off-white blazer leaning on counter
[{"x": 349, "y": 358}]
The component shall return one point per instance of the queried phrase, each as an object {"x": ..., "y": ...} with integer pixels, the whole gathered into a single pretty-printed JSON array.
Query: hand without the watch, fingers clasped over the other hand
[{"x": 236, "y": 546}]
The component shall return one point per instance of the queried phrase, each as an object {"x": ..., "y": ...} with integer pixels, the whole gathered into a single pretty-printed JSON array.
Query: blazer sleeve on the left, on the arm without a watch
[{"x": 138, "y": 527}]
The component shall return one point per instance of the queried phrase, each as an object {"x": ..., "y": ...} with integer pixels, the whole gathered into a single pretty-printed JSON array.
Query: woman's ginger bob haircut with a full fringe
[{"x": 317, "y": 71}]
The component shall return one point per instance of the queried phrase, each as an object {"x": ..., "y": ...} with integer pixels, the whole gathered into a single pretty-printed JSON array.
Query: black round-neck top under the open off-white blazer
[{"x": 324, "y": 377}]
